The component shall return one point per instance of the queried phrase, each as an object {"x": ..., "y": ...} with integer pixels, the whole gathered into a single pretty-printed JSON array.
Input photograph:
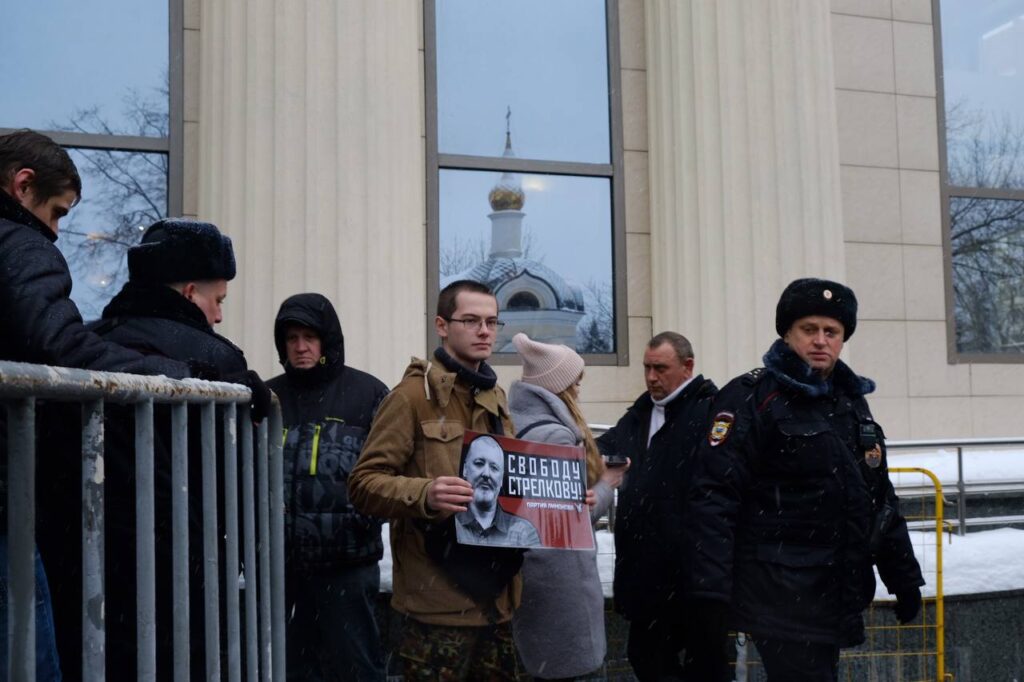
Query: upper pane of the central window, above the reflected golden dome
[{"x": 546, "y": 61}]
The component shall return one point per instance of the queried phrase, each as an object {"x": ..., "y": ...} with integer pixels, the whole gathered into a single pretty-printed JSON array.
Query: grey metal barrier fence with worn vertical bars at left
[{"x": 262, "y": 528}]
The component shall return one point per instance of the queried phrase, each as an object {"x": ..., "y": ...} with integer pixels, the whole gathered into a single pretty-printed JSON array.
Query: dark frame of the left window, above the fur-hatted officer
[{"x": 174, "y": 145}]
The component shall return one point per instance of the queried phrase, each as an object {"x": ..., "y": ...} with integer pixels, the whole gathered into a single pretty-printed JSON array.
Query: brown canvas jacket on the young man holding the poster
[{"x": 416, "y": 438}]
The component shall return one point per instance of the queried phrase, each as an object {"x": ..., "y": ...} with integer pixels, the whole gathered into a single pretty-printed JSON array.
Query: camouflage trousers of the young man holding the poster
[{"x": 444, "y": 654}]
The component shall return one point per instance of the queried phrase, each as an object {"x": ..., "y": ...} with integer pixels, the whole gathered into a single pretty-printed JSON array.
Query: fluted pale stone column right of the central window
[{"x": 744, "y": 168}]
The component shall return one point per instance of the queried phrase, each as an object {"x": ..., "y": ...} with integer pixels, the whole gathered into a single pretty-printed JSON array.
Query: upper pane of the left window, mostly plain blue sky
[{"x": 66, "y": 60}]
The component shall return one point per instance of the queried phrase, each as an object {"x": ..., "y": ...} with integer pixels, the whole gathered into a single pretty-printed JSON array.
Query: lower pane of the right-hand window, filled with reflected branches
[{"x": 988, "y": 244}]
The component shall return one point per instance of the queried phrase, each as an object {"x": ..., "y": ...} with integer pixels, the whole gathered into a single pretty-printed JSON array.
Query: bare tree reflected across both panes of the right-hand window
[{"x": 987, "y": 235}]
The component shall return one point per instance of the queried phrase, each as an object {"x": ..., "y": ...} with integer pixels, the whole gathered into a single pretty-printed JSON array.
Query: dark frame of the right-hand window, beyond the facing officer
[{"x": 948, "y": 194}]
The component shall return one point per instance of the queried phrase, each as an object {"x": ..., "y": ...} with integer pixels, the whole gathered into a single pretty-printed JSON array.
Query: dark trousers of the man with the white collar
[{"x": 654, "y": 651}]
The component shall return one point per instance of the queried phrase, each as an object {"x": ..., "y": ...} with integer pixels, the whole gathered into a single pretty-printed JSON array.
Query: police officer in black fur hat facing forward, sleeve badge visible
[{"x": 793, "y": 504}]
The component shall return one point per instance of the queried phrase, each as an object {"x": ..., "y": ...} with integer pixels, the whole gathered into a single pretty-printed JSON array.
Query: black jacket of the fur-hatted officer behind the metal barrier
[{"x": 160, "y": 323}]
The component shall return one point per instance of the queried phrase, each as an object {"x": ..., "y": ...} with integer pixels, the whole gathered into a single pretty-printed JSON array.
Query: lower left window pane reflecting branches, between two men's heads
[{"x": 123, "y": 193}]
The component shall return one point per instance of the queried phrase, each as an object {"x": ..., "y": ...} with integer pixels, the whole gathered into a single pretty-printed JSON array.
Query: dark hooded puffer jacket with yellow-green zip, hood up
[{"x": 327, "y": 414}]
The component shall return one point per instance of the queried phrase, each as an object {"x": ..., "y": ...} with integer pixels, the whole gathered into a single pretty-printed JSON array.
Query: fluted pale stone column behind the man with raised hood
[{"x": 312, "y": 159}]
